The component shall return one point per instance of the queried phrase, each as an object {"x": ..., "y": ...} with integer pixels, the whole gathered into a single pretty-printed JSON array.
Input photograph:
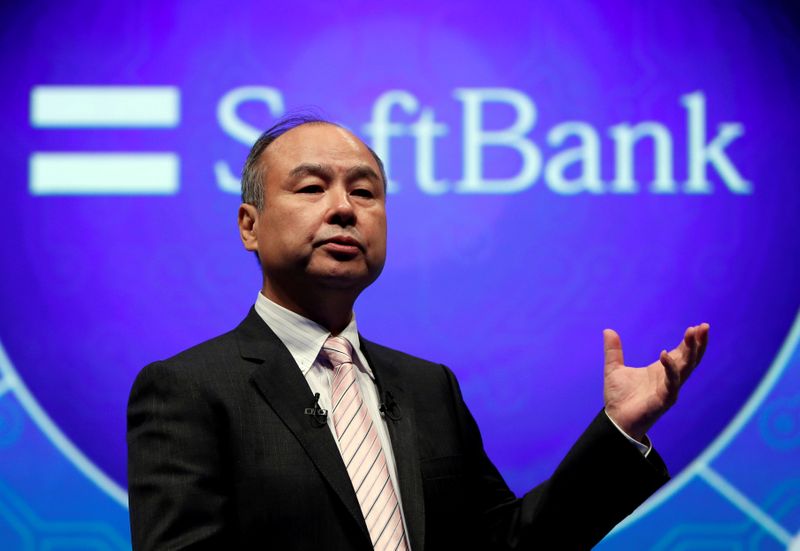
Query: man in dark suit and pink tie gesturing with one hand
[{"x": 294, "y": 432}]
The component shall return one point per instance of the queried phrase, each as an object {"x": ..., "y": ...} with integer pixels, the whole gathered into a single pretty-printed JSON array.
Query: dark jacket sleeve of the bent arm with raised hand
[{"x": 600, "y": 481}]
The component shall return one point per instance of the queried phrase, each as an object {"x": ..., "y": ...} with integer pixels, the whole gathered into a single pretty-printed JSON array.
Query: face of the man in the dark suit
[{"x": 324, "y": 217}]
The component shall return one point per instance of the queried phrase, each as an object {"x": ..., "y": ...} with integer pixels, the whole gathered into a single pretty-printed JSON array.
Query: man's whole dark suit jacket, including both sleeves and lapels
[{"x": 222, "y": 456}]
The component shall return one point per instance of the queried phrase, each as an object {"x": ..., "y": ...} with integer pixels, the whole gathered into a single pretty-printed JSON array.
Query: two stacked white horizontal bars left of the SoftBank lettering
[{"x": 102, "y": 173}]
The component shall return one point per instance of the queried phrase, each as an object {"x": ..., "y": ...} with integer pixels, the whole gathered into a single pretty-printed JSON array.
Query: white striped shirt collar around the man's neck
[{"x": 303, "y": 337}]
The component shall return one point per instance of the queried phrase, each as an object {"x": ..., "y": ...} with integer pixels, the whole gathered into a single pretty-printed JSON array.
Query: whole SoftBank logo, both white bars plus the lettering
[{"x": 568, "y": 161}]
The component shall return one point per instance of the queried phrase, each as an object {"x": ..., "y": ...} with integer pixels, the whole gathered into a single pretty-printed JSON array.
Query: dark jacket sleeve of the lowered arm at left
[{"x": 177, "y": 488}]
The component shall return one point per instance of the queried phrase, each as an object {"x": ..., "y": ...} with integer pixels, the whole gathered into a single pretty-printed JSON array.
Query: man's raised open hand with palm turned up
[{"x": 635, "y": 397}]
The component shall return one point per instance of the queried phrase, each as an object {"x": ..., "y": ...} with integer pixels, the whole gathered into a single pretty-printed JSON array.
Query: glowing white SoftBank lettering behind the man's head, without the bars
[{"x": 556, "y": 161}]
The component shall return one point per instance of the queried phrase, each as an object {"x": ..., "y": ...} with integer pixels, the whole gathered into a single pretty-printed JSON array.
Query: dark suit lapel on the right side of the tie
[{"x": 404, "y": 441}]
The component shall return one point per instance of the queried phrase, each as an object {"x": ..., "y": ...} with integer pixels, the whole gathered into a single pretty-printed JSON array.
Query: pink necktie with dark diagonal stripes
[{"x": 362, "y": 452}]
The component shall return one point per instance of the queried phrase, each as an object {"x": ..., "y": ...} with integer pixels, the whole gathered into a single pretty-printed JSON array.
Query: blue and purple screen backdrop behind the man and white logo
[{"x": 95, "y": 287}]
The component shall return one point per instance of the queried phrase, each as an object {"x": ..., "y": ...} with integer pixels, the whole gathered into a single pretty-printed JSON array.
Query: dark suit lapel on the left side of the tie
[{"x": 282, "y": 385}]
